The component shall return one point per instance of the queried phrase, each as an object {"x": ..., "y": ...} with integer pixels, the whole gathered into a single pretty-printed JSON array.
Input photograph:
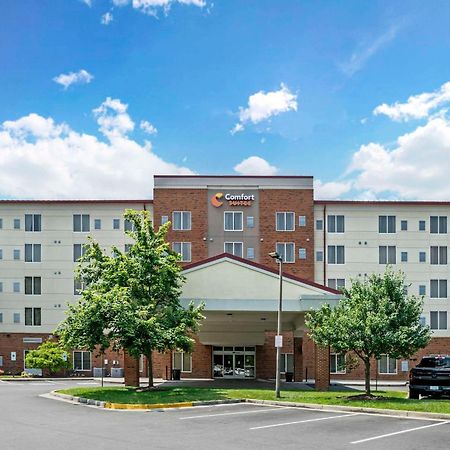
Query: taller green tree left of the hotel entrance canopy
[{"x": 131, "y": 299}]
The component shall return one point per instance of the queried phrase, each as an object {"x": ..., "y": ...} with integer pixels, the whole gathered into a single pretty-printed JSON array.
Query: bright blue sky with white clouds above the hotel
[{"x": 97, "y": 96}]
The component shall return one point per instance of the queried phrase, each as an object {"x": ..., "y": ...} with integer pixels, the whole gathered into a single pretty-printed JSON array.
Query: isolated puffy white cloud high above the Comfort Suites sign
[{"x": 264, "y": 105}]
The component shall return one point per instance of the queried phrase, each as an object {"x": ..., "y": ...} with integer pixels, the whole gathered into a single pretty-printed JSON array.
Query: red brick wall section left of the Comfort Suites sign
[{"x": 195, "y": 200}]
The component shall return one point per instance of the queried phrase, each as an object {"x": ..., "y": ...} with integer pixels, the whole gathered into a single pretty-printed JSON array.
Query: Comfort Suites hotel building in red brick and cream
[{"x": 224, "y": 227}]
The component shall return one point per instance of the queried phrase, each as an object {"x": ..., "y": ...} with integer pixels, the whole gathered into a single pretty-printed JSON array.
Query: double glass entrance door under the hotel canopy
[{"x": 234, "y": 362}]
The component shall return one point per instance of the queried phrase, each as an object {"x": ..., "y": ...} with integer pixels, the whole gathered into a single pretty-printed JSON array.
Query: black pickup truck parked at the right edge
[{"x": 430, "y": 377}]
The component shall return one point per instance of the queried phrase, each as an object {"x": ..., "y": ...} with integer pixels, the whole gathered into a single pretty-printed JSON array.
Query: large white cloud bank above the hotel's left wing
[{"x": 42, "y": 159}]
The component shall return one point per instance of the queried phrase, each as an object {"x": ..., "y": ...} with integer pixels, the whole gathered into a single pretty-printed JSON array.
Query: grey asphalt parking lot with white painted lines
[{"x": 30, "y": 421}]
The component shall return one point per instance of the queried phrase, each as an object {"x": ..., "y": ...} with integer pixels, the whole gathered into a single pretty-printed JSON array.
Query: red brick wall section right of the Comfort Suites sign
[{"x": 301, "y": 202}]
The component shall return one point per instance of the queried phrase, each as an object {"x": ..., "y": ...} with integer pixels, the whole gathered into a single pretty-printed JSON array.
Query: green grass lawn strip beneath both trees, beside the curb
[{"x": 388, "y": 400}]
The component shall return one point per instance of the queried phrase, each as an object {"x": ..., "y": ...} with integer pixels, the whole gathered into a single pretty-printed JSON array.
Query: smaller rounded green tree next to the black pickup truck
[{"x": 375, "y": 317}]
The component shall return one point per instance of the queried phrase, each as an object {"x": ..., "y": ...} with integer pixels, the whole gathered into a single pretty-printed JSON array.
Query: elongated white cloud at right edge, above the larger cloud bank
[{"x": 417, "y": 106}]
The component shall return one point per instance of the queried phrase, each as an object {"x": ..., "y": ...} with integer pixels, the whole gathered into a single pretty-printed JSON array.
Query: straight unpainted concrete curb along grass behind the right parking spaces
[{"x": 379, "y": 411}]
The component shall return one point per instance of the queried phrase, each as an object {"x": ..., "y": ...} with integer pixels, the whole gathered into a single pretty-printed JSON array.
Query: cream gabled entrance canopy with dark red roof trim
[{"x": 241, "y": 299}]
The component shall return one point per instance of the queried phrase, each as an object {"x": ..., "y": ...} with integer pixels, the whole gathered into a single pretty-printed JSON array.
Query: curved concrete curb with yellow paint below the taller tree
[{"x": 142, "y": 406}]
